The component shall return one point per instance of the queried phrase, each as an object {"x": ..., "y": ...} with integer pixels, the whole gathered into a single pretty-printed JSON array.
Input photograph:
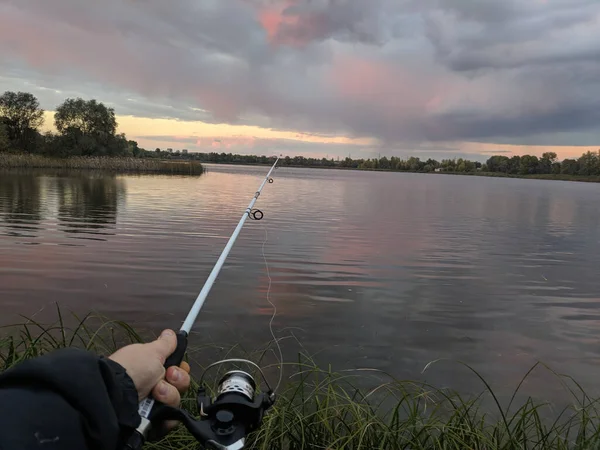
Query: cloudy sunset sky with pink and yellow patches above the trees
[{"x": 320, "y": 78}]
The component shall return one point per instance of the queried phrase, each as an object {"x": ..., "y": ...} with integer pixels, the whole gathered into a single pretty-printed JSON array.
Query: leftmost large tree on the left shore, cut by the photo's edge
[{"x": 22, "y": 116}]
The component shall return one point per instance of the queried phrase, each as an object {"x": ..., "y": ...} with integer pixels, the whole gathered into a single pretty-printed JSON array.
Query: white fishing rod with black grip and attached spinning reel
[{"x": 226, "y": 420}]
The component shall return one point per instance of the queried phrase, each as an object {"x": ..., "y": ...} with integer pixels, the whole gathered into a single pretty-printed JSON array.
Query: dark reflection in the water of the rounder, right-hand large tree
[{"x": 87, "y": 205}]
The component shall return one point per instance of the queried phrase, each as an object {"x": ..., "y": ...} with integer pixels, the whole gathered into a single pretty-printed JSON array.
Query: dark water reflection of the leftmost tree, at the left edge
[{"x": 20, "y": 204}]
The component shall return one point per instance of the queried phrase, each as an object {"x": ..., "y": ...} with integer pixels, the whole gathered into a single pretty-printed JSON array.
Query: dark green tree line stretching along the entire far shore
[{"x": 89, "y": 128}]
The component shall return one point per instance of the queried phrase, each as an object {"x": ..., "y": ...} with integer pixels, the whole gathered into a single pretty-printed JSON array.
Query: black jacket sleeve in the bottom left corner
[{"x": 67, "y": 399}]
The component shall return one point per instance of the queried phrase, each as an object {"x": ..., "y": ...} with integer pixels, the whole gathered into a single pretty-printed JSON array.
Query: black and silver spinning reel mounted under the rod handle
[{"x": 225, "y": 421}]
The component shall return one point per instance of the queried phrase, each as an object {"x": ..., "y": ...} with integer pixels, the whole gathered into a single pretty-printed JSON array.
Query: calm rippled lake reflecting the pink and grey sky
[{"x": 378, "y": 270}]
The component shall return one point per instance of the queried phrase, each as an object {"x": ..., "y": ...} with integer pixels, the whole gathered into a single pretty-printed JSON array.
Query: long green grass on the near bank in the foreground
[{"x": 320, "y": 409}]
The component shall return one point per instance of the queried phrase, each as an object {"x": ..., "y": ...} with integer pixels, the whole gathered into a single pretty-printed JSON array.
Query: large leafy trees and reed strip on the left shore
[{"x": 87, "y": 139}]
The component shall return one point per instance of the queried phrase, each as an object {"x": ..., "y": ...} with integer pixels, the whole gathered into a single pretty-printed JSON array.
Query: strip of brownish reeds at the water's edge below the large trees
[{"x": 105, "y": 164}]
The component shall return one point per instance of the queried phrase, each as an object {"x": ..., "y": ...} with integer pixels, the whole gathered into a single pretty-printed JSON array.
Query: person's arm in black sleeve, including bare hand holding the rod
[{"x": 73, "y": 399}]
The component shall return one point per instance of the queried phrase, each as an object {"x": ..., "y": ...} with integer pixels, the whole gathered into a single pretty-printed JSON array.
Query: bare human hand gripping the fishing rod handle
[{"x": 144, "y": 364}]
